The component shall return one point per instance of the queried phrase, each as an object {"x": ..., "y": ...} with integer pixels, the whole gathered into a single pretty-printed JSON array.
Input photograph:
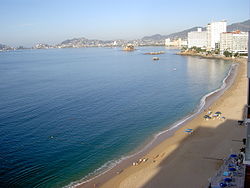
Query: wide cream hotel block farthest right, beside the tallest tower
[{"x": 234, "y": 42}]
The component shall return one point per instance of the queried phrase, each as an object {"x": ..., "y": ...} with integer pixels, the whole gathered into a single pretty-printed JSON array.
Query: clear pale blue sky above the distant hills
[{"x": 28, "y": 22}]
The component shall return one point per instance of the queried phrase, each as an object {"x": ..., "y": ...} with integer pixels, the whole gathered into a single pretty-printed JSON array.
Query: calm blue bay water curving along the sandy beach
[{"x": 64, "y": 113}]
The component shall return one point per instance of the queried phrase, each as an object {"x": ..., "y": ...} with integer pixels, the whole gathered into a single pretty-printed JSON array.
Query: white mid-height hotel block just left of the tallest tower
[{"x": 197, "y": 39}]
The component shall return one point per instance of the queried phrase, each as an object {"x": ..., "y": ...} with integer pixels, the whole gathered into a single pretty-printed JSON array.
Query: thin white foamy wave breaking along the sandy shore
[{"x": 111, "y": 164}]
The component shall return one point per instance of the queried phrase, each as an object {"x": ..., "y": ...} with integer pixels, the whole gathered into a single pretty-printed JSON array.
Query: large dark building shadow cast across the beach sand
[{"x": 198, "y": 156}]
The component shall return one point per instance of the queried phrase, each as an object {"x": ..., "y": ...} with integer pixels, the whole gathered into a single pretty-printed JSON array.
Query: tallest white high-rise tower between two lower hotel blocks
[{"x": 214, "y": 29}]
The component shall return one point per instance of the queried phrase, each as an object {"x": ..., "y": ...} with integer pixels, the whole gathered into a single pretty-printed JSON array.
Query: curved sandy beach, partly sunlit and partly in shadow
[{"x": 183, "y": 159}]
